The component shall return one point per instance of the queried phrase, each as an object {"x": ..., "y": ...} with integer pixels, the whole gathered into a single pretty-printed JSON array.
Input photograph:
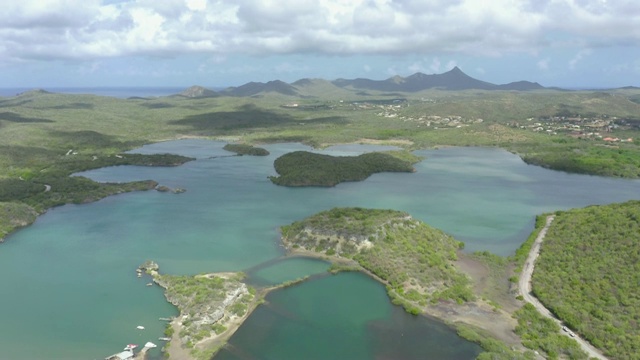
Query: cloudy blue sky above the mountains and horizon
[{"x": 220, "y": 43}]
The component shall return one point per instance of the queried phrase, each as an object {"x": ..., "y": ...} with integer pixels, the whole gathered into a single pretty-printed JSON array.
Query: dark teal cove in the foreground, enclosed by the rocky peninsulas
[{"x": 344, "y": 316}]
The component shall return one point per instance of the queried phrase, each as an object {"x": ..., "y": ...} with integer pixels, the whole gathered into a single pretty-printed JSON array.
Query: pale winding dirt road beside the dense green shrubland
[{"x": 524, "y": 284}]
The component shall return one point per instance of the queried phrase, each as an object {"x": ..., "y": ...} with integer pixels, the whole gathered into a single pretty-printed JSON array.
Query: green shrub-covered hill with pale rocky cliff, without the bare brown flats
[{"x": 413, "y": 259}]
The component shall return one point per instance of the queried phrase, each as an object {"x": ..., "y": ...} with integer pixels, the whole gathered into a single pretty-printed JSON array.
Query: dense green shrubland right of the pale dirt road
[{"x": 588, "y": 274}]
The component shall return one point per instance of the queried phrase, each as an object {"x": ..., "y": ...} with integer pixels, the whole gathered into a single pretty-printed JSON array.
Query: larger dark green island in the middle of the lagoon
[{"x": 304, "y": 168}]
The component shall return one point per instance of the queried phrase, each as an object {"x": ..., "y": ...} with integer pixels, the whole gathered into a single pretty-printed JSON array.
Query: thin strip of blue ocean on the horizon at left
[{"x": 118, "y": 92}]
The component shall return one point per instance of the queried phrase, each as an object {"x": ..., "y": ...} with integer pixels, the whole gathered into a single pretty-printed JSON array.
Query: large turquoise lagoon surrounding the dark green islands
[{"x": 69, "y": 284}]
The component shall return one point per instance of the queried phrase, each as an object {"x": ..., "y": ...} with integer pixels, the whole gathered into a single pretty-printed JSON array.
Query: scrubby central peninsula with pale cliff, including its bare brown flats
[{"x": 418, "y": 265}]
